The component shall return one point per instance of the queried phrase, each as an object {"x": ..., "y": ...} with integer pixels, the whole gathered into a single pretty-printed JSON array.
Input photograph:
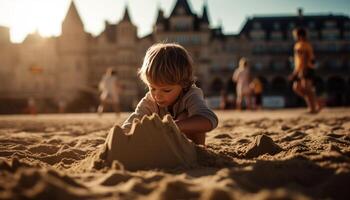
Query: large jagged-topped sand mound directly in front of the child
[{"x": 151, "y": 143}]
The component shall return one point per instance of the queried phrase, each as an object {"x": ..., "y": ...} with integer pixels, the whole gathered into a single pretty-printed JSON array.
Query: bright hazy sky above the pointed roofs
[{"x": 25, "y": 16}]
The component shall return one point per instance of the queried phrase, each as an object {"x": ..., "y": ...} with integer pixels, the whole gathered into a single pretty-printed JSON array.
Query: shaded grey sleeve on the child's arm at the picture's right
[{"x": 196, "y": 105}]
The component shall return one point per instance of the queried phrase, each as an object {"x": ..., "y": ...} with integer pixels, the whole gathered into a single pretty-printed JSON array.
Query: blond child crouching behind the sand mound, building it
[{"x": 167, "y": 71}]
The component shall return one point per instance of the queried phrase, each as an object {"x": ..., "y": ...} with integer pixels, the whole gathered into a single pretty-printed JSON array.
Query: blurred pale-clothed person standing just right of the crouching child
[{"x": 242, "y": 78}]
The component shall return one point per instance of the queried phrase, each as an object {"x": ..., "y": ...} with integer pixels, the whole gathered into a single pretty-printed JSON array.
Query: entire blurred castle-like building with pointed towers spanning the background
[{"x": 69, "y": 67}]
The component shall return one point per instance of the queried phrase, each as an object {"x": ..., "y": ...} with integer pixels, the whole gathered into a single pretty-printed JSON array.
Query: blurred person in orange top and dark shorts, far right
[{"x": 304, "y": 70}]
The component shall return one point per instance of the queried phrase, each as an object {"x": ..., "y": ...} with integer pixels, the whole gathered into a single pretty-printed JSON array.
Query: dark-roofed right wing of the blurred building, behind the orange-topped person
[{"x": 270, "y": 44}]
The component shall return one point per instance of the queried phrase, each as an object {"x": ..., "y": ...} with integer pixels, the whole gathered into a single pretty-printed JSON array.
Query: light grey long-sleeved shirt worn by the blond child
[{"x": 191, "y": 102}]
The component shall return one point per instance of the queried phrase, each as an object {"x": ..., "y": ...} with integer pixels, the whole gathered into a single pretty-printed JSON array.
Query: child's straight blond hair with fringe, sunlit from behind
[{"x": 167, "y": 63}]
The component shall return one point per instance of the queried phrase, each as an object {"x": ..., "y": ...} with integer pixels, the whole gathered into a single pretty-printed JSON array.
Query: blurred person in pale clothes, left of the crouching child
[{"x": 110, "y": 90}]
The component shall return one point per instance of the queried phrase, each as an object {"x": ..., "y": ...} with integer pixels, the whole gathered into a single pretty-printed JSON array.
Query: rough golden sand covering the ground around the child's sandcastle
[{"x": 284, "y": 154}]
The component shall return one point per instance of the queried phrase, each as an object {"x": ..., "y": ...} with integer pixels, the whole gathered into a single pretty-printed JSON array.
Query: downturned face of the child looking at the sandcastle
[{"x": 165, "y": 95}]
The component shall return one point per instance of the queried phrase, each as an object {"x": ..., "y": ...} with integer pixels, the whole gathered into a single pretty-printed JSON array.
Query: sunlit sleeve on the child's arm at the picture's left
[{"x": 145, "y": 107}]
